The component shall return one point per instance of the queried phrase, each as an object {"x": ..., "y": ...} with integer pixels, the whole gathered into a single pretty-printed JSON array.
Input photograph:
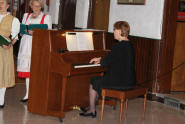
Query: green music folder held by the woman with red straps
[{"x": 24, "y": 28}]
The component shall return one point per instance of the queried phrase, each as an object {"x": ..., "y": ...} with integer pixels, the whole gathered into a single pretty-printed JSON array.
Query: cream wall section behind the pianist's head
[{"x": 145, "y": 20}]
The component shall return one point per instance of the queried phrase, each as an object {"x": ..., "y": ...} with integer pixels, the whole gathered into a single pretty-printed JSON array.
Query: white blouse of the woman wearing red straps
[{"x": 47, "y": 20}]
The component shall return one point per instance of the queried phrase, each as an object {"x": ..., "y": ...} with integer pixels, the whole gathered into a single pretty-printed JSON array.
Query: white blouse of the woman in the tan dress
[{"x": 15, "y": 26}]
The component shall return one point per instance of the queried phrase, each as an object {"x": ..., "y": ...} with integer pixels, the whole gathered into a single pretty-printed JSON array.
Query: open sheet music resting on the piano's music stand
[{"x": 79, "y": 41}]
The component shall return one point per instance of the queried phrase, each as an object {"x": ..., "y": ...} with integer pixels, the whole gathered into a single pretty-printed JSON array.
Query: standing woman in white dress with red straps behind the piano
[{"x": 24, "y": 54}]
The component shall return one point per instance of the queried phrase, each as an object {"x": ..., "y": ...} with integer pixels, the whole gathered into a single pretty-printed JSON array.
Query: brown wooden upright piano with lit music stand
[{"x": 57, "y": 85}]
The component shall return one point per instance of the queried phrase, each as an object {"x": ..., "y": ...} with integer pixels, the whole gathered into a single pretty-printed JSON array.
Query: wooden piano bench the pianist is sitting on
[{"x": 124, "y": 95}]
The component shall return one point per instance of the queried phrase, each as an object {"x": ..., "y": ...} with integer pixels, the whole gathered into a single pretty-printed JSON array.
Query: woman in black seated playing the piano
[{"x": 120, "y": 65}]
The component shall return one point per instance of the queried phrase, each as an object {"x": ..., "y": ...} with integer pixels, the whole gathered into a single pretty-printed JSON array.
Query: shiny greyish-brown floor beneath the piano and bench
[{"x": 15, "y": 112}]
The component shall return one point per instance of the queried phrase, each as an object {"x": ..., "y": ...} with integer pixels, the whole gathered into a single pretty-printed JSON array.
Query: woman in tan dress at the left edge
[{"x": 9, "y": 28}]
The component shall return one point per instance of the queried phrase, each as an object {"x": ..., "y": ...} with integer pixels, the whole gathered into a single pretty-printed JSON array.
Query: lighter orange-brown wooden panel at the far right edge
[{"x": 178, "y": 75}]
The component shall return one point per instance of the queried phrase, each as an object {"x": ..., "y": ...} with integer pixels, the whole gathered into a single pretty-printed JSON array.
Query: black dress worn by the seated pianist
[{"x": 120, "y": 63}]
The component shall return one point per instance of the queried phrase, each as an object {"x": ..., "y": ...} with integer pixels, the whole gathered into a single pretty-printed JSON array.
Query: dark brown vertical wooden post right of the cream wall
[{"x": 166, "y": 53}]
